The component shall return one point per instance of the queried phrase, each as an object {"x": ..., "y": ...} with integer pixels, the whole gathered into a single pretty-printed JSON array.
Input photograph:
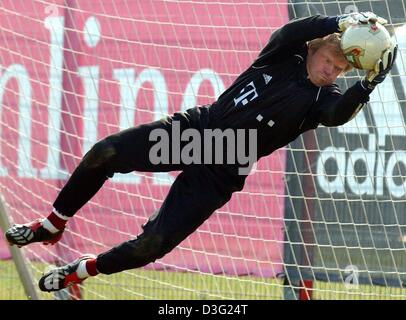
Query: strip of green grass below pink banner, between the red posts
[{"x": 143, "y": 284}]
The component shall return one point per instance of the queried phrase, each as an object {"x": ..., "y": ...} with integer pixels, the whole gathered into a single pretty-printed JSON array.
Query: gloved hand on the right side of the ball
[{"x": 382, "y": 68}]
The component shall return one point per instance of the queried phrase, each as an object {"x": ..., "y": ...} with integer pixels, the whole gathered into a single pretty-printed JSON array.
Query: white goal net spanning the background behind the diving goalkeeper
[{"x": 324, "y": 213}]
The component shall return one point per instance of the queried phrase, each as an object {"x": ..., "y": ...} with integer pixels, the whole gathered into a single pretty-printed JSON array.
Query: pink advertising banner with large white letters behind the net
[{"x": 72, "y": 72}]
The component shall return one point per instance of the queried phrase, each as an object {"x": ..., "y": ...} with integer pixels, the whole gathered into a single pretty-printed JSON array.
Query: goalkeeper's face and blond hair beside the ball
[{"x": 324, "y": 66}]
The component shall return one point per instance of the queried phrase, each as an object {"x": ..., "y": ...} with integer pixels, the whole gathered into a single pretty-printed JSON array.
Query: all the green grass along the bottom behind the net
[{"x": 143, "y": 284}]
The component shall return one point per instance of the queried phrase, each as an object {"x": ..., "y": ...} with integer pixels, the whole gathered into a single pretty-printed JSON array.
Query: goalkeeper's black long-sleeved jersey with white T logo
[{"x": 275, "y": 96}]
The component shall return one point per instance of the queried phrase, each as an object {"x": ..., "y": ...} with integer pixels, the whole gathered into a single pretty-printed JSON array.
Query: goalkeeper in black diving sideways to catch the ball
[{"x": 289, "y": 89}]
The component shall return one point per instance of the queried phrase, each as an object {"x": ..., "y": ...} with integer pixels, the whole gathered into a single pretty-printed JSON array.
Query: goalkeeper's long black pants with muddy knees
[{"x": 195, "y": 194}]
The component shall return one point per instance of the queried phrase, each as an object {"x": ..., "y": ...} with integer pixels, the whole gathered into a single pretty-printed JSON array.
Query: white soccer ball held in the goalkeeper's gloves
[{"x": 364, "y": 44}]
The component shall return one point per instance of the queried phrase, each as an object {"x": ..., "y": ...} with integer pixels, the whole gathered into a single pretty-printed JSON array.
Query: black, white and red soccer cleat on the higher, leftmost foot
[{"x": 23, "y": 234}]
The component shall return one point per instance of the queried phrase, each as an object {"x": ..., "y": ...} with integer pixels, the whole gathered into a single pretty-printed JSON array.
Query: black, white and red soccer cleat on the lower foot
[{"x": 62, "y": 277}]
